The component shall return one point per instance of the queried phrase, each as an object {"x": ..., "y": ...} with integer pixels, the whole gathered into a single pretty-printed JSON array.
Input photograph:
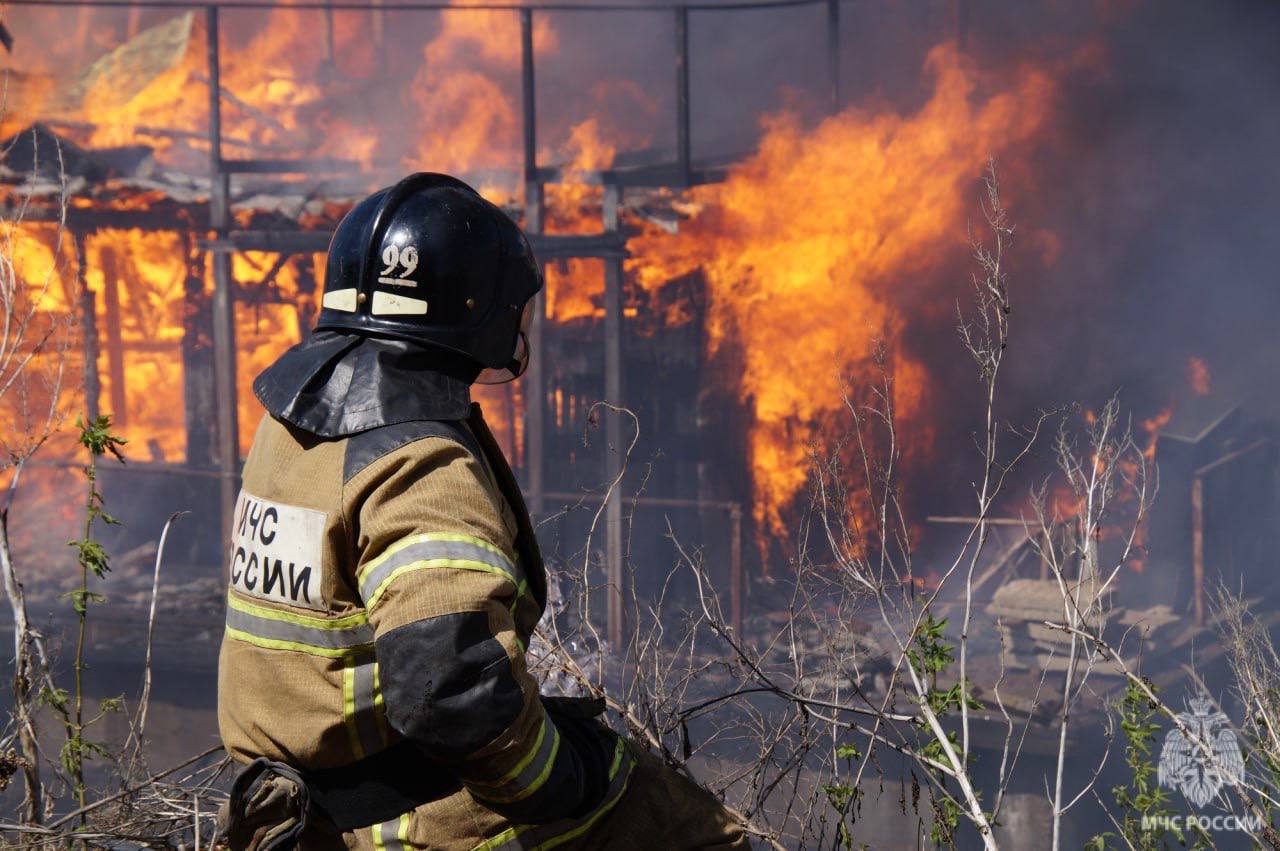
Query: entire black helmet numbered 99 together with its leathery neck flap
[{"x": 426, "y": 289}]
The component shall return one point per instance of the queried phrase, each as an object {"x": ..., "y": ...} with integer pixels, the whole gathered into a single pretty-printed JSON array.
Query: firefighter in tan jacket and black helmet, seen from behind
[{"x": 385, "y": 579}]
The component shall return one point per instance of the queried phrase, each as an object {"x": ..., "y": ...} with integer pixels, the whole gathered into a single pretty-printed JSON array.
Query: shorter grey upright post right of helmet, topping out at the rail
[{"x": 614, "y": 450}]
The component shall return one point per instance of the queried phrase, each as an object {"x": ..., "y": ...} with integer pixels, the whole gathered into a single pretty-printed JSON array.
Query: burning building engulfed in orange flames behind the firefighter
[{"x": 721, "y": 296}]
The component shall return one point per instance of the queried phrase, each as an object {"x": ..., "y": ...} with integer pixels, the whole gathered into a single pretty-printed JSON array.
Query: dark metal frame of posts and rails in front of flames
[{"x": 609, "y": 246}]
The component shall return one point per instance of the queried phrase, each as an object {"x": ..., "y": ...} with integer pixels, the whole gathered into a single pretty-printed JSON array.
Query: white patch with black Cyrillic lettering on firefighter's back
[{"x": 276, "y": 552}]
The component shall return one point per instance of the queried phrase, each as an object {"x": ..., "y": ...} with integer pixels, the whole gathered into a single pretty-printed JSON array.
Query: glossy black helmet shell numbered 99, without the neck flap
[{"x": 429, "y": 262}]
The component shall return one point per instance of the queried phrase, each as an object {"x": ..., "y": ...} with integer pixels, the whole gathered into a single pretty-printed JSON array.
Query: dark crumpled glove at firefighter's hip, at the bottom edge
[{"x": 267, "y": 811}]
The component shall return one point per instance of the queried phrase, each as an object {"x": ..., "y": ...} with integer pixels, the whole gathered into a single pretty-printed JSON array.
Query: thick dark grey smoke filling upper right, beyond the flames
[{"x": 1163, "y": 196}]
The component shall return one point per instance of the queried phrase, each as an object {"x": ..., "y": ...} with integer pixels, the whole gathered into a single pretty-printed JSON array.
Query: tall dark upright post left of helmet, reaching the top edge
[{"x": 225, "y": 298}]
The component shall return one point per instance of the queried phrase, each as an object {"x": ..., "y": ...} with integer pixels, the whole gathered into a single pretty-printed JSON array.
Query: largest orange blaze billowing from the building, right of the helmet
[{"x": 810, "y": 250}]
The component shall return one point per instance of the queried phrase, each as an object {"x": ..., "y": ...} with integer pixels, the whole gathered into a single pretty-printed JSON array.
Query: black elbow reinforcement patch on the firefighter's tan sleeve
[{"x": 447, "y": 684}]
